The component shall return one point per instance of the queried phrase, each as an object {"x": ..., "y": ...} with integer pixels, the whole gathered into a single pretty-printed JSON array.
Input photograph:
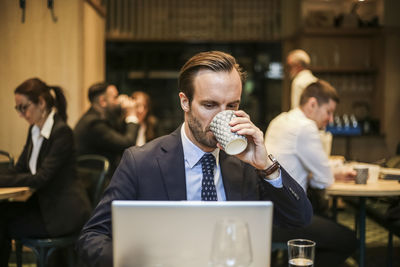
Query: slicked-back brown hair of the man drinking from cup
[{"x": 212, "y": 60}]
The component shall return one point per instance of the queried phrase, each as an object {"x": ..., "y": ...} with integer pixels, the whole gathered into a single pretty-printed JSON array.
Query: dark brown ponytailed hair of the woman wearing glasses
[{"x": 35, "y": 88}]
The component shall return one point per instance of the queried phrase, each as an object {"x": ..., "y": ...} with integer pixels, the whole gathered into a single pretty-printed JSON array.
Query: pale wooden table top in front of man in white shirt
[{"x": 379, "y": 189}]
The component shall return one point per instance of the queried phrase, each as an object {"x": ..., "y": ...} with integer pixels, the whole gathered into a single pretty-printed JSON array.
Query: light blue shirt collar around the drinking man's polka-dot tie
[{"x": 193, "y": 153}]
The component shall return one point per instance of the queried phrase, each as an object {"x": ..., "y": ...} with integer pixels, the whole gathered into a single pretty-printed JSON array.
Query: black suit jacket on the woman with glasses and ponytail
[{"x": 59, "y": 193}]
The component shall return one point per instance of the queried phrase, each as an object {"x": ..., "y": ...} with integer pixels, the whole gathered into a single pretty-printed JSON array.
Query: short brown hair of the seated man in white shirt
[{"x": 321, "y": 90}]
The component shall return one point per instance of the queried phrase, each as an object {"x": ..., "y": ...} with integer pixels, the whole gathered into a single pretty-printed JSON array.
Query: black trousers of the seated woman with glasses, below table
[{"x": 18, "y": 220}]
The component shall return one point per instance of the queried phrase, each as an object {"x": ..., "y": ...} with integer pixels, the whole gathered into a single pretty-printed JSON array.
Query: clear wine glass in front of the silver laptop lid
[{"x": 231, "y": 246}]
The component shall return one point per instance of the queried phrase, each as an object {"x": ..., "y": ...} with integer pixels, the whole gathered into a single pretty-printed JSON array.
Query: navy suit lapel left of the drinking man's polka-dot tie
[{"x": 172, "y": 165}]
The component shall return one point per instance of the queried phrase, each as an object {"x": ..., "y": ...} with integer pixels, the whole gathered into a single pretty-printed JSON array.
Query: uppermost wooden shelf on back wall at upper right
[{"x": 350, "y": 32}]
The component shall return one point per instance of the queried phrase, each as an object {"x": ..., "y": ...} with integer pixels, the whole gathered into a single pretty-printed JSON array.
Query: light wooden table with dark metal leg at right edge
[{"x": 362, "y": 191}]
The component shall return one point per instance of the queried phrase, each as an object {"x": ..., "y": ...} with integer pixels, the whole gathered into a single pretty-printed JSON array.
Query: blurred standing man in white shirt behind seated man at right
[{"x": 298, "y": 62}]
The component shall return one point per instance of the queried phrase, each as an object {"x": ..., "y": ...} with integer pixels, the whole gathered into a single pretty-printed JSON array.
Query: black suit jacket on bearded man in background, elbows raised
[{"x": 96, "y": 135}]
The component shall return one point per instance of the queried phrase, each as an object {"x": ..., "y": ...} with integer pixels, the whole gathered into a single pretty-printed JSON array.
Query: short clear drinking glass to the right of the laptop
[{"x": 301, "y": 252}]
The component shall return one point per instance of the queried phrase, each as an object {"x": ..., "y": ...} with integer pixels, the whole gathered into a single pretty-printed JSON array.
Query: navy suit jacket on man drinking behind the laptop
[{"x": 156, "y": 171}]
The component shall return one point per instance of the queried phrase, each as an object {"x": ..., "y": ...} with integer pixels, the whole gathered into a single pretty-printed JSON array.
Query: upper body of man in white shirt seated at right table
[{"x": 294, "y": 138}]
